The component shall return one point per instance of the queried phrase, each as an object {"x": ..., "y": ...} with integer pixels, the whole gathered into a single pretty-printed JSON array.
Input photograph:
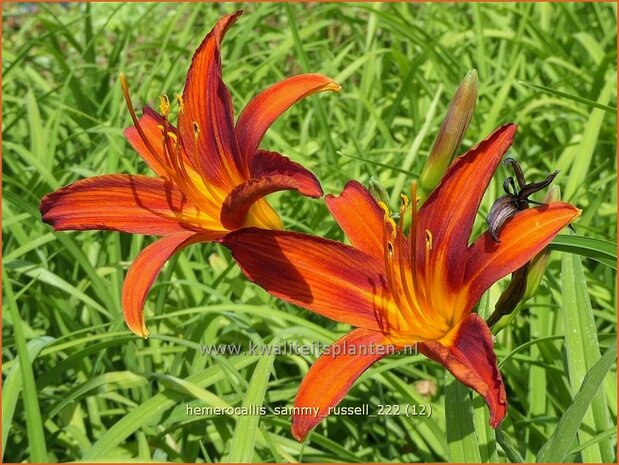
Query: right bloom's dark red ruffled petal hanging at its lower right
[{"x": 469, "y": 356}]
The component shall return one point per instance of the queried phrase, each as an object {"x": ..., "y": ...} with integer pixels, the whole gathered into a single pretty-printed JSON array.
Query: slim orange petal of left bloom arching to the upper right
[{"x": 269, "y": 104}]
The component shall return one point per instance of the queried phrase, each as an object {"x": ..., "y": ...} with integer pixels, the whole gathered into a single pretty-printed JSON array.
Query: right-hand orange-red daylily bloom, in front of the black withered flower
[{"x": 399, "y": 290}]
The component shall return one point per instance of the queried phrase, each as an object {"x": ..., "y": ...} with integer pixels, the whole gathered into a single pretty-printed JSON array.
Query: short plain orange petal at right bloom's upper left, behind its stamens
[{"x": 360, "y": 217}]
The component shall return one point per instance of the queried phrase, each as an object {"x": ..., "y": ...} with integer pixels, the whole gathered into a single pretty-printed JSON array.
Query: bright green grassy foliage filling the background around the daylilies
[{"x": 79, "y": 386}]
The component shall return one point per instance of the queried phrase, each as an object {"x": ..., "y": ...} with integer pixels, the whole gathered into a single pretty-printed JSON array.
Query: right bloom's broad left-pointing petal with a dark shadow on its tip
[{"x": 326, "y": 277}]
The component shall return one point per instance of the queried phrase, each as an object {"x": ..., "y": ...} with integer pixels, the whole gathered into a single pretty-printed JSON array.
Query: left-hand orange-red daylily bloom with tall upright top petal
[{"x": 211, "y": 176}]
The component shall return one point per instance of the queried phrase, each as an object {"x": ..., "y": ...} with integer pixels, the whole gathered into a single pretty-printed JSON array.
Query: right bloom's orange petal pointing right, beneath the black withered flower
[{"x": 521, "y": 238}]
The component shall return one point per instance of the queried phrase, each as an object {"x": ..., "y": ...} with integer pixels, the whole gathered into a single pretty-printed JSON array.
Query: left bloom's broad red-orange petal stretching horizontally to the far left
[{"x": 128, "y": 203}]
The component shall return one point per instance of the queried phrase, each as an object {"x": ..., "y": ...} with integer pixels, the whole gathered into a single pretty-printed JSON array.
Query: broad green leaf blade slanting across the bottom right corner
[{"x": 557, "y": 447}]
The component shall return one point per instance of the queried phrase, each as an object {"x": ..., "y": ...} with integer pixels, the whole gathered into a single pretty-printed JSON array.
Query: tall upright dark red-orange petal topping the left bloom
[{"x": 208, "y": 104}]
